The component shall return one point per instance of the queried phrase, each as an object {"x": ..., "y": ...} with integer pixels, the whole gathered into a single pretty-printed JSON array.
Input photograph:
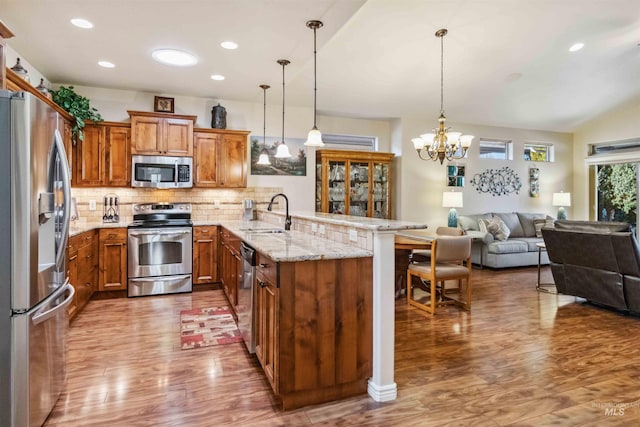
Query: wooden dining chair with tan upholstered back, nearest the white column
[{"x": 450, "y": 260}]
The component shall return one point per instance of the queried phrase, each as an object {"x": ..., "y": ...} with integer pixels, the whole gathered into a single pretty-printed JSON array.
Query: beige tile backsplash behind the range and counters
[{"x": 207, "y": 204}]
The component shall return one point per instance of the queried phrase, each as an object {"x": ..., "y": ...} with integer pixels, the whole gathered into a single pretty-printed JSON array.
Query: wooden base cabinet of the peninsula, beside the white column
[{"x": 315, "y": 328}]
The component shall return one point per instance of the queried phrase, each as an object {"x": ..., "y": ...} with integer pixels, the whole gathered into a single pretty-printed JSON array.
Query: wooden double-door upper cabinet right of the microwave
[{"x": 220, "y": 158}]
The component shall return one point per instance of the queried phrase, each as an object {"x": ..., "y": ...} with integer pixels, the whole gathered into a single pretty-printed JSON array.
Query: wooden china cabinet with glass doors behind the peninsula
[{"x": 354, "y": 183}]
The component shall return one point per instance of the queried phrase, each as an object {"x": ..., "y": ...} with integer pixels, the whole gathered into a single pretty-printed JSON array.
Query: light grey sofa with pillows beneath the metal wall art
[{"x": 519, "y": 249}]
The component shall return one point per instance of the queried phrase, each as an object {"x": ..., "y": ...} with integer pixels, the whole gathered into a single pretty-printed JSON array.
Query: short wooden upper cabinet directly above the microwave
[{"x": 161, "y": 134}]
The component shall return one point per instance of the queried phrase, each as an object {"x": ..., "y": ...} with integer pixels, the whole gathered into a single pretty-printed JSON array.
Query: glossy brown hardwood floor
[{"x": 520, "y": 357}]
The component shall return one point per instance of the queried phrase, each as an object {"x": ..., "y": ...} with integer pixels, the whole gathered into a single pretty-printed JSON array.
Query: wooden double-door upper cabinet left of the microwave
[{"x": 104, "y": 157}]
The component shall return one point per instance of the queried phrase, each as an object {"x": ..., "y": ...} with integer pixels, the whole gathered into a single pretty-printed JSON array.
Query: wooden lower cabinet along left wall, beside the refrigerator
[{"x": 82, "y": 264}]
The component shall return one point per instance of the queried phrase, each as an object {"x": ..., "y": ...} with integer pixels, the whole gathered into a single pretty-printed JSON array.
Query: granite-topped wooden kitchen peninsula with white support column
[{"x": 327, "y": 303}]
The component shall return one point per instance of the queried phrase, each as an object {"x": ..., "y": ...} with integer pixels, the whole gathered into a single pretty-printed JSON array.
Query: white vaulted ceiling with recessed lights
[{"x": 506, "y": 62}]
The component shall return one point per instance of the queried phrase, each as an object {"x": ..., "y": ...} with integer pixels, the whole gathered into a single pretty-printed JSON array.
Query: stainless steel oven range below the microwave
[{"x": 160, "y": 254}]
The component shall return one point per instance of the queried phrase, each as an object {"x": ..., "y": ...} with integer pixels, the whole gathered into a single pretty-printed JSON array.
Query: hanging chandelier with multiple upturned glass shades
[{"x": 442, "y": 144}]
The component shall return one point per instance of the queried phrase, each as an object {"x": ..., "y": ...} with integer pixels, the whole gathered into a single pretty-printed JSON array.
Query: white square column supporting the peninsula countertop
[{"x": 382, "y": 386}]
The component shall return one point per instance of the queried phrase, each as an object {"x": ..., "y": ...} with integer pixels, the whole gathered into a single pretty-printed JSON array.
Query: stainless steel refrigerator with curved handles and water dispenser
[{"x": 35, "y": 199}]
